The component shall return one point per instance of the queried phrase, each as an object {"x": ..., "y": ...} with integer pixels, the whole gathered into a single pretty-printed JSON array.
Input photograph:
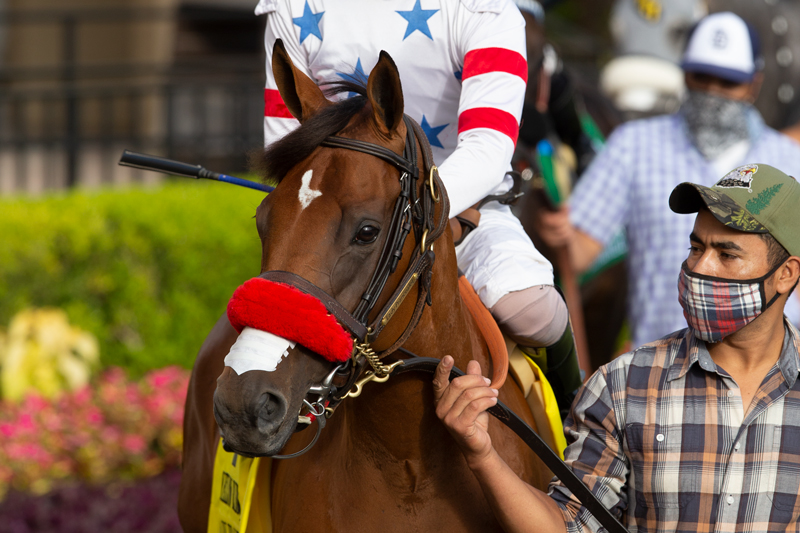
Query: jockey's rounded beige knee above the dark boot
[{"x": 534, "y": 317}]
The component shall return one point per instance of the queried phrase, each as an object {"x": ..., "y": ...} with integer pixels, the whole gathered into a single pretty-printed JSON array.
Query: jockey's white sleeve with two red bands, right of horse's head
[{"x": 491, "y": 42}]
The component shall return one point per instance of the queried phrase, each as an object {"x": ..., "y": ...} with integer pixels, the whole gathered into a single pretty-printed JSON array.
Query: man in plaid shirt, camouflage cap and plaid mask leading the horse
[{"x": 700, "y": 430}]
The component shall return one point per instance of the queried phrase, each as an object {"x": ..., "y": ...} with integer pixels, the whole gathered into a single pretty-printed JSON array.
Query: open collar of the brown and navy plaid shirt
[{"x": 693, "y": 351}]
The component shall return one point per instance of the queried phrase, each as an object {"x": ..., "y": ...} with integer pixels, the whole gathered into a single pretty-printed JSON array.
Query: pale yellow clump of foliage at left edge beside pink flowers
[{"x": 43, "y": 353}]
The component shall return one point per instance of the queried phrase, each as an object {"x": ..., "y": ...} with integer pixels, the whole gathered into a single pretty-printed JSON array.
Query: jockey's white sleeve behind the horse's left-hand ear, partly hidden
[{"x": 277, "y": 119}]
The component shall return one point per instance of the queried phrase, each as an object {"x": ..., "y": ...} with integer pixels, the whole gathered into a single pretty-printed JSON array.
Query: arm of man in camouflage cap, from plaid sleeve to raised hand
[{"x": 594, "y": 431}]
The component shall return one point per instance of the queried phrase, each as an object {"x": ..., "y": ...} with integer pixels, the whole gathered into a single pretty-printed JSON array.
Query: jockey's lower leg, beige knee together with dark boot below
[{"x": 537, "y": 320}]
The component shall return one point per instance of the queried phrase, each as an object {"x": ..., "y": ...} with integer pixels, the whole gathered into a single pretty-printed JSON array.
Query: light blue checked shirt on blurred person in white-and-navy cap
[{"x": 629, "y": 184}]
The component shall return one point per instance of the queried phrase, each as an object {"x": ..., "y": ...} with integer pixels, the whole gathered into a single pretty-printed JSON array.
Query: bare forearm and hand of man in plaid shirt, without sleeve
[{"x": 462, "y": 405}]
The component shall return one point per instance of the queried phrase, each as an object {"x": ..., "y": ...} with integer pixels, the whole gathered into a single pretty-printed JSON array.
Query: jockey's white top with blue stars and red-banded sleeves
[{"x": 462, "y": 65}]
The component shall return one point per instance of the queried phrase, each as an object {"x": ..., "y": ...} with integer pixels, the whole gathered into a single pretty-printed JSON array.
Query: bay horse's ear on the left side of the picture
[{"x": 300, "y": 94}]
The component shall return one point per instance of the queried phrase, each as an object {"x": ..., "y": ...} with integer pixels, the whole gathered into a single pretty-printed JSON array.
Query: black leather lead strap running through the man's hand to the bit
[{"x": 540, "y": 448}]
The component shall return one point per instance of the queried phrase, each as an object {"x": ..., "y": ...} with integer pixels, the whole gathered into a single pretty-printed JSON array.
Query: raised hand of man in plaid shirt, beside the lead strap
[{"x": 461, "y": 405}]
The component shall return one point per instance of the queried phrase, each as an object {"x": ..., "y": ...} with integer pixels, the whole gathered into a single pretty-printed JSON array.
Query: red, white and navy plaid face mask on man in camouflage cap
[{"x": 716, "y": 307}]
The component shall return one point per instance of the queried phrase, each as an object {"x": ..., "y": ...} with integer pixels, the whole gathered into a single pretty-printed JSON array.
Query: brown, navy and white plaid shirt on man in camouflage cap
[{"x": 660, "y": 435}]
